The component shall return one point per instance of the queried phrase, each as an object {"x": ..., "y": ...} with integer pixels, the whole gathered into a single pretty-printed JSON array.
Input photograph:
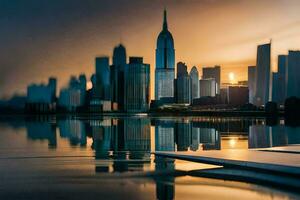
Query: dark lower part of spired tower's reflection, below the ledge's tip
[{"x": 165, "y": 188}]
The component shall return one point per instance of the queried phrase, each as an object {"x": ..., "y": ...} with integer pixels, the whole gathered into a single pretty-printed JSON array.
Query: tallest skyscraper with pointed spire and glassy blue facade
[{"x": 165, "y": 63}]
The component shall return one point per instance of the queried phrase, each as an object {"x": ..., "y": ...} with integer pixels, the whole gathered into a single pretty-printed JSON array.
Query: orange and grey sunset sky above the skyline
[{"x": 42, "y": 38}]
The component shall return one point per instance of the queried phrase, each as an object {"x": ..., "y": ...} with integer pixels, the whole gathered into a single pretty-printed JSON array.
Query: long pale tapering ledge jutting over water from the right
[{"x": 280, "y": 163}]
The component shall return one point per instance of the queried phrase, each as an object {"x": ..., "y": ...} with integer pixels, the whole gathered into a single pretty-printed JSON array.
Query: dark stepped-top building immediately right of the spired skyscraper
[{"x": 182, "y": 85}]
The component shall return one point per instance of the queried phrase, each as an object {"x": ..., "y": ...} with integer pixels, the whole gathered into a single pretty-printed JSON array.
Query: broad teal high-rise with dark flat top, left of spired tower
[{"x": 137, "y": 85}]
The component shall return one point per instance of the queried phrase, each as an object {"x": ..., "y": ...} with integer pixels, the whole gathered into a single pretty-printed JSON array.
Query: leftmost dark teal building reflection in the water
[{"x": 41, "y": 131}]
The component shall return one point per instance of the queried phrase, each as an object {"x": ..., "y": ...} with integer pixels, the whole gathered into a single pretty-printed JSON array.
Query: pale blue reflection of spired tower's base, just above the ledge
[{"x": 164, "y": 135}]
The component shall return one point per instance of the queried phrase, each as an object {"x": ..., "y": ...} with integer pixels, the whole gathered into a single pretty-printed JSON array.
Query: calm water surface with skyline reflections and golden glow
[{"x": 110, "y": 157}]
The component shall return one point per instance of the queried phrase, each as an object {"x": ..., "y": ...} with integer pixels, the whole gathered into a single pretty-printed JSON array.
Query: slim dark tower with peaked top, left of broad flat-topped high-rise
[{"x": 117, "y": 76}]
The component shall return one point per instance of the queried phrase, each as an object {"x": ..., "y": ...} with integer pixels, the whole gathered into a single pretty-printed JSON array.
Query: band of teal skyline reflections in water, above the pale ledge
[{"x": 130, "y": 138}]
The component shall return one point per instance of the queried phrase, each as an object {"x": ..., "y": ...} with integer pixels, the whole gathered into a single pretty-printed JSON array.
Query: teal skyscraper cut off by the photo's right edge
[{"x": 293, "y": 75}]
